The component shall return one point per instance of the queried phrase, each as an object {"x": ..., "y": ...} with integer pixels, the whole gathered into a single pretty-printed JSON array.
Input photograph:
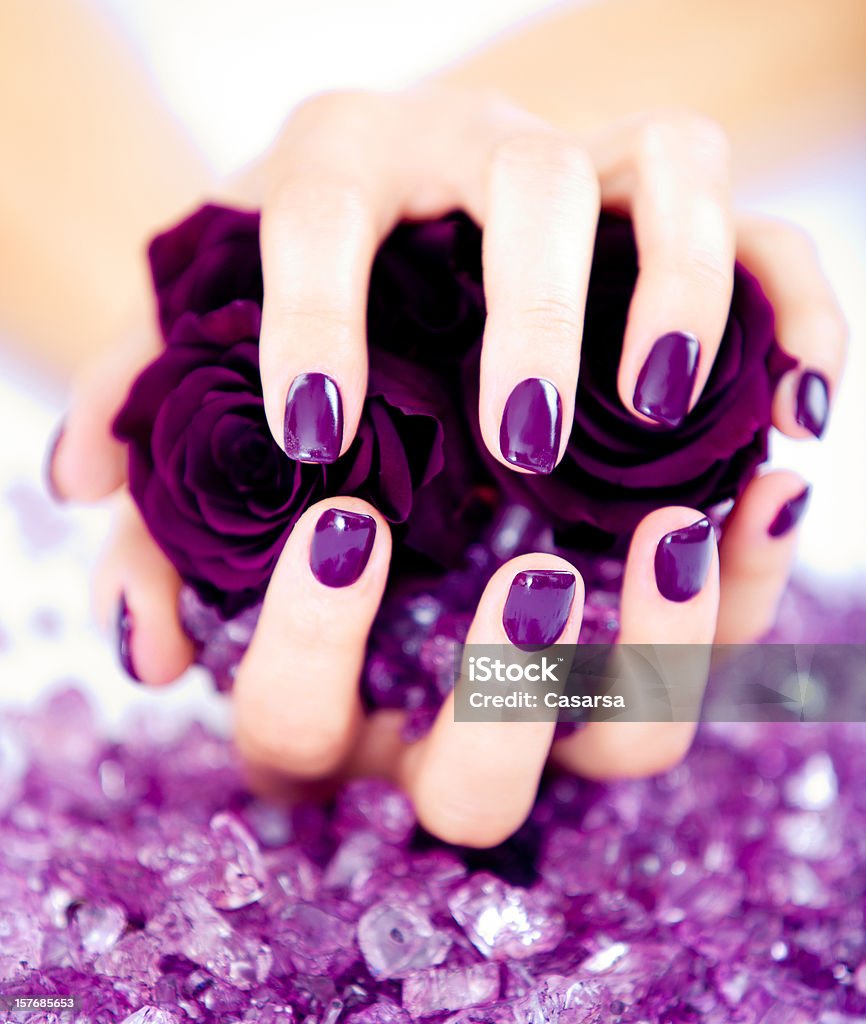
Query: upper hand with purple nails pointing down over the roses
[{"x": 350, "y": 165}]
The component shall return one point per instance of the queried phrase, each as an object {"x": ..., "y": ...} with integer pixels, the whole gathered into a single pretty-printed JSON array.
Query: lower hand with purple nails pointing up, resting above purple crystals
[{"x": 299, "y": 721}]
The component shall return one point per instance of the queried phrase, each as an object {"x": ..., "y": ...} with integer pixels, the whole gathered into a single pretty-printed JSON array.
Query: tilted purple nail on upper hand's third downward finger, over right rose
[{"x": 667, "y": 379}]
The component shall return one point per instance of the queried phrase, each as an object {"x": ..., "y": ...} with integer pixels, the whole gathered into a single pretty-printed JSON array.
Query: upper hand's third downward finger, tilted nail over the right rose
[{"x": 673, "y": 174}]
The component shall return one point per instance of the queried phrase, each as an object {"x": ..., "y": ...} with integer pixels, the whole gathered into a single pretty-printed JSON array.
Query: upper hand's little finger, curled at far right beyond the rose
[{"x": 810, "y": 325}]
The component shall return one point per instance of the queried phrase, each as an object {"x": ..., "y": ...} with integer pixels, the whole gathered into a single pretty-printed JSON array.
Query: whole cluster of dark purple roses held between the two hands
[{"x": 221, "y": 497}]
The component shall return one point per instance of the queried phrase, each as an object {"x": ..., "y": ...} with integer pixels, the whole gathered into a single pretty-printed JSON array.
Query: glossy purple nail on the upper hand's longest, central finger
[{"x": 532, "y": 425}]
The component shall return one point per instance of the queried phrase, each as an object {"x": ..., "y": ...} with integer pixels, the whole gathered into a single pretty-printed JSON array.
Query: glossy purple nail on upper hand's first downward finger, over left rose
[{"x": 313, "y": 431}]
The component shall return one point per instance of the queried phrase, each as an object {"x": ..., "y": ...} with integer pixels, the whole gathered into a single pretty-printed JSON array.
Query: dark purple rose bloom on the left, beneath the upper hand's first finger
[{"x": 219, "y": 495}]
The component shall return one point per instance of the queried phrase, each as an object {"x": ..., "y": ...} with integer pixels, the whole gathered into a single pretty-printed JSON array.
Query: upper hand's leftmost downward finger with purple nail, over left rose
[{"x": 322, "y": 224}]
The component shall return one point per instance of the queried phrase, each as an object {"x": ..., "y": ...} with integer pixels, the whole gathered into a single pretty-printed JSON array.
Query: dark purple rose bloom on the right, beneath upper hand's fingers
[{"x": 618, "y": 470}]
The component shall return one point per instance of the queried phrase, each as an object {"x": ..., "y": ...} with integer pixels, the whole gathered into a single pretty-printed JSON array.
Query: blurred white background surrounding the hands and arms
[{"x": 231, "y": 72}]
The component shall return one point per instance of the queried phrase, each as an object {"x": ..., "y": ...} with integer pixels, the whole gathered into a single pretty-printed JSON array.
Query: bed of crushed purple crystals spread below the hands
[{"x": 146, "y": 879}]
